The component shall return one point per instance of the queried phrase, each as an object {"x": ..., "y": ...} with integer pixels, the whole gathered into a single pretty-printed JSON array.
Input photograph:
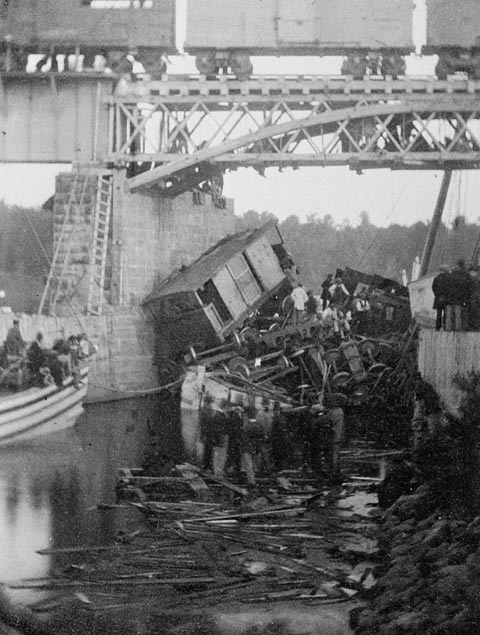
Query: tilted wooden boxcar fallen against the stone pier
[{"x": 205, "y": 302}]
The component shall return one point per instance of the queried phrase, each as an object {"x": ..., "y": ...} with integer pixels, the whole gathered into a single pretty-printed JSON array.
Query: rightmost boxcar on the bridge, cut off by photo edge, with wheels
[{"x": 453, "y": 33}]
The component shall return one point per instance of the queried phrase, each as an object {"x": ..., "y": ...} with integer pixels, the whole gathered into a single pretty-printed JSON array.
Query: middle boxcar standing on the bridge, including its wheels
[{"x": 374, "y": 35}]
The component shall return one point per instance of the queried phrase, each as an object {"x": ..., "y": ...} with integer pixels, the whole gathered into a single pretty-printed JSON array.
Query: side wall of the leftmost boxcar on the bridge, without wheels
[{"x": 71, "y": 22}]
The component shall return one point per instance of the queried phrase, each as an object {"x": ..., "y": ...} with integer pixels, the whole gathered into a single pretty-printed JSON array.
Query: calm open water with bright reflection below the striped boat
[{"x": 49, "y": 488}]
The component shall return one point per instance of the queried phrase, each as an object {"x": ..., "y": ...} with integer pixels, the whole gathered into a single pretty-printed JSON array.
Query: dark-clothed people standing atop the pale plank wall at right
[{"x": 456, "y": 291}]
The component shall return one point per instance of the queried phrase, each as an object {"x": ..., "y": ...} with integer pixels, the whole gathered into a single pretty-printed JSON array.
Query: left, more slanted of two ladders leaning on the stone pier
[{"x": 59, "y": 266}]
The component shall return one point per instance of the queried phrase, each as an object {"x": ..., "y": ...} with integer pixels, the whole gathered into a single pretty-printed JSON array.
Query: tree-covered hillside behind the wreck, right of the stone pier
[{"x": 319, "y": 245}]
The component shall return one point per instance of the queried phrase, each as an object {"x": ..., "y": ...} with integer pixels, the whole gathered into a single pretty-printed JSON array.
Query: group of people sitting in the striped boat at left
[{"x": 26, "y": 365}]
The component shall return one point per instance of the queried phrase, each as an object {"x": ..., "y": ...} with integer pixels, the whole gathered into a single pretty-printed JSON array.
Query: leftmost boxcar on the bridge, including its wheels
[{"x": 89, "y": 28}]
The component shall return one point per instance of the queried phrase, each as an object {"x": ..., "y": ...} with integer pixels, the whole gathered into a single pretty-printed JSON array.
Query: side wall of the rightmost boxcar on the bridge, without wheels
[{"x": 453, "y": 23}]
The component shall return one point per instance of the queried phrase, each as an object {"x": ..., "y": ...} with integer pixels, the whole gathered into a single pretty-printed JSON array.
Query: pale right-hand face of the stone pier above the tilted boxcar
[{"x": 153, "y": 236}]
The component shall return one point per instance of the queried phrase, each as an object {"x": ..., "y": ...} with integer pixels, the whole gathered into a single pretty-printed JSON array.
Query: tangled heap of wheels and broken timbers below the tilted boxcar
[{"x": 297, "y": 364}]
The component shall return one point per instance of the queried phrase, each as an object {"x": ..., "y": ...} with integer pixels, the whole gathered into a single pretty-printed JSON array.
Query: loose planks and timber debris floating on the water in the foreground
[{"x": 294, "y": 543}]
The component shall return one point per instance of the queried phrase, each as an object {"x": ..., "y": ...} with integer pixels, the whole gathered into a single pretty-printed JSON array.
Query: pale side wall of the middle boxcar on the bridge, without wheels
[{"x": 299, "y": 26}]
